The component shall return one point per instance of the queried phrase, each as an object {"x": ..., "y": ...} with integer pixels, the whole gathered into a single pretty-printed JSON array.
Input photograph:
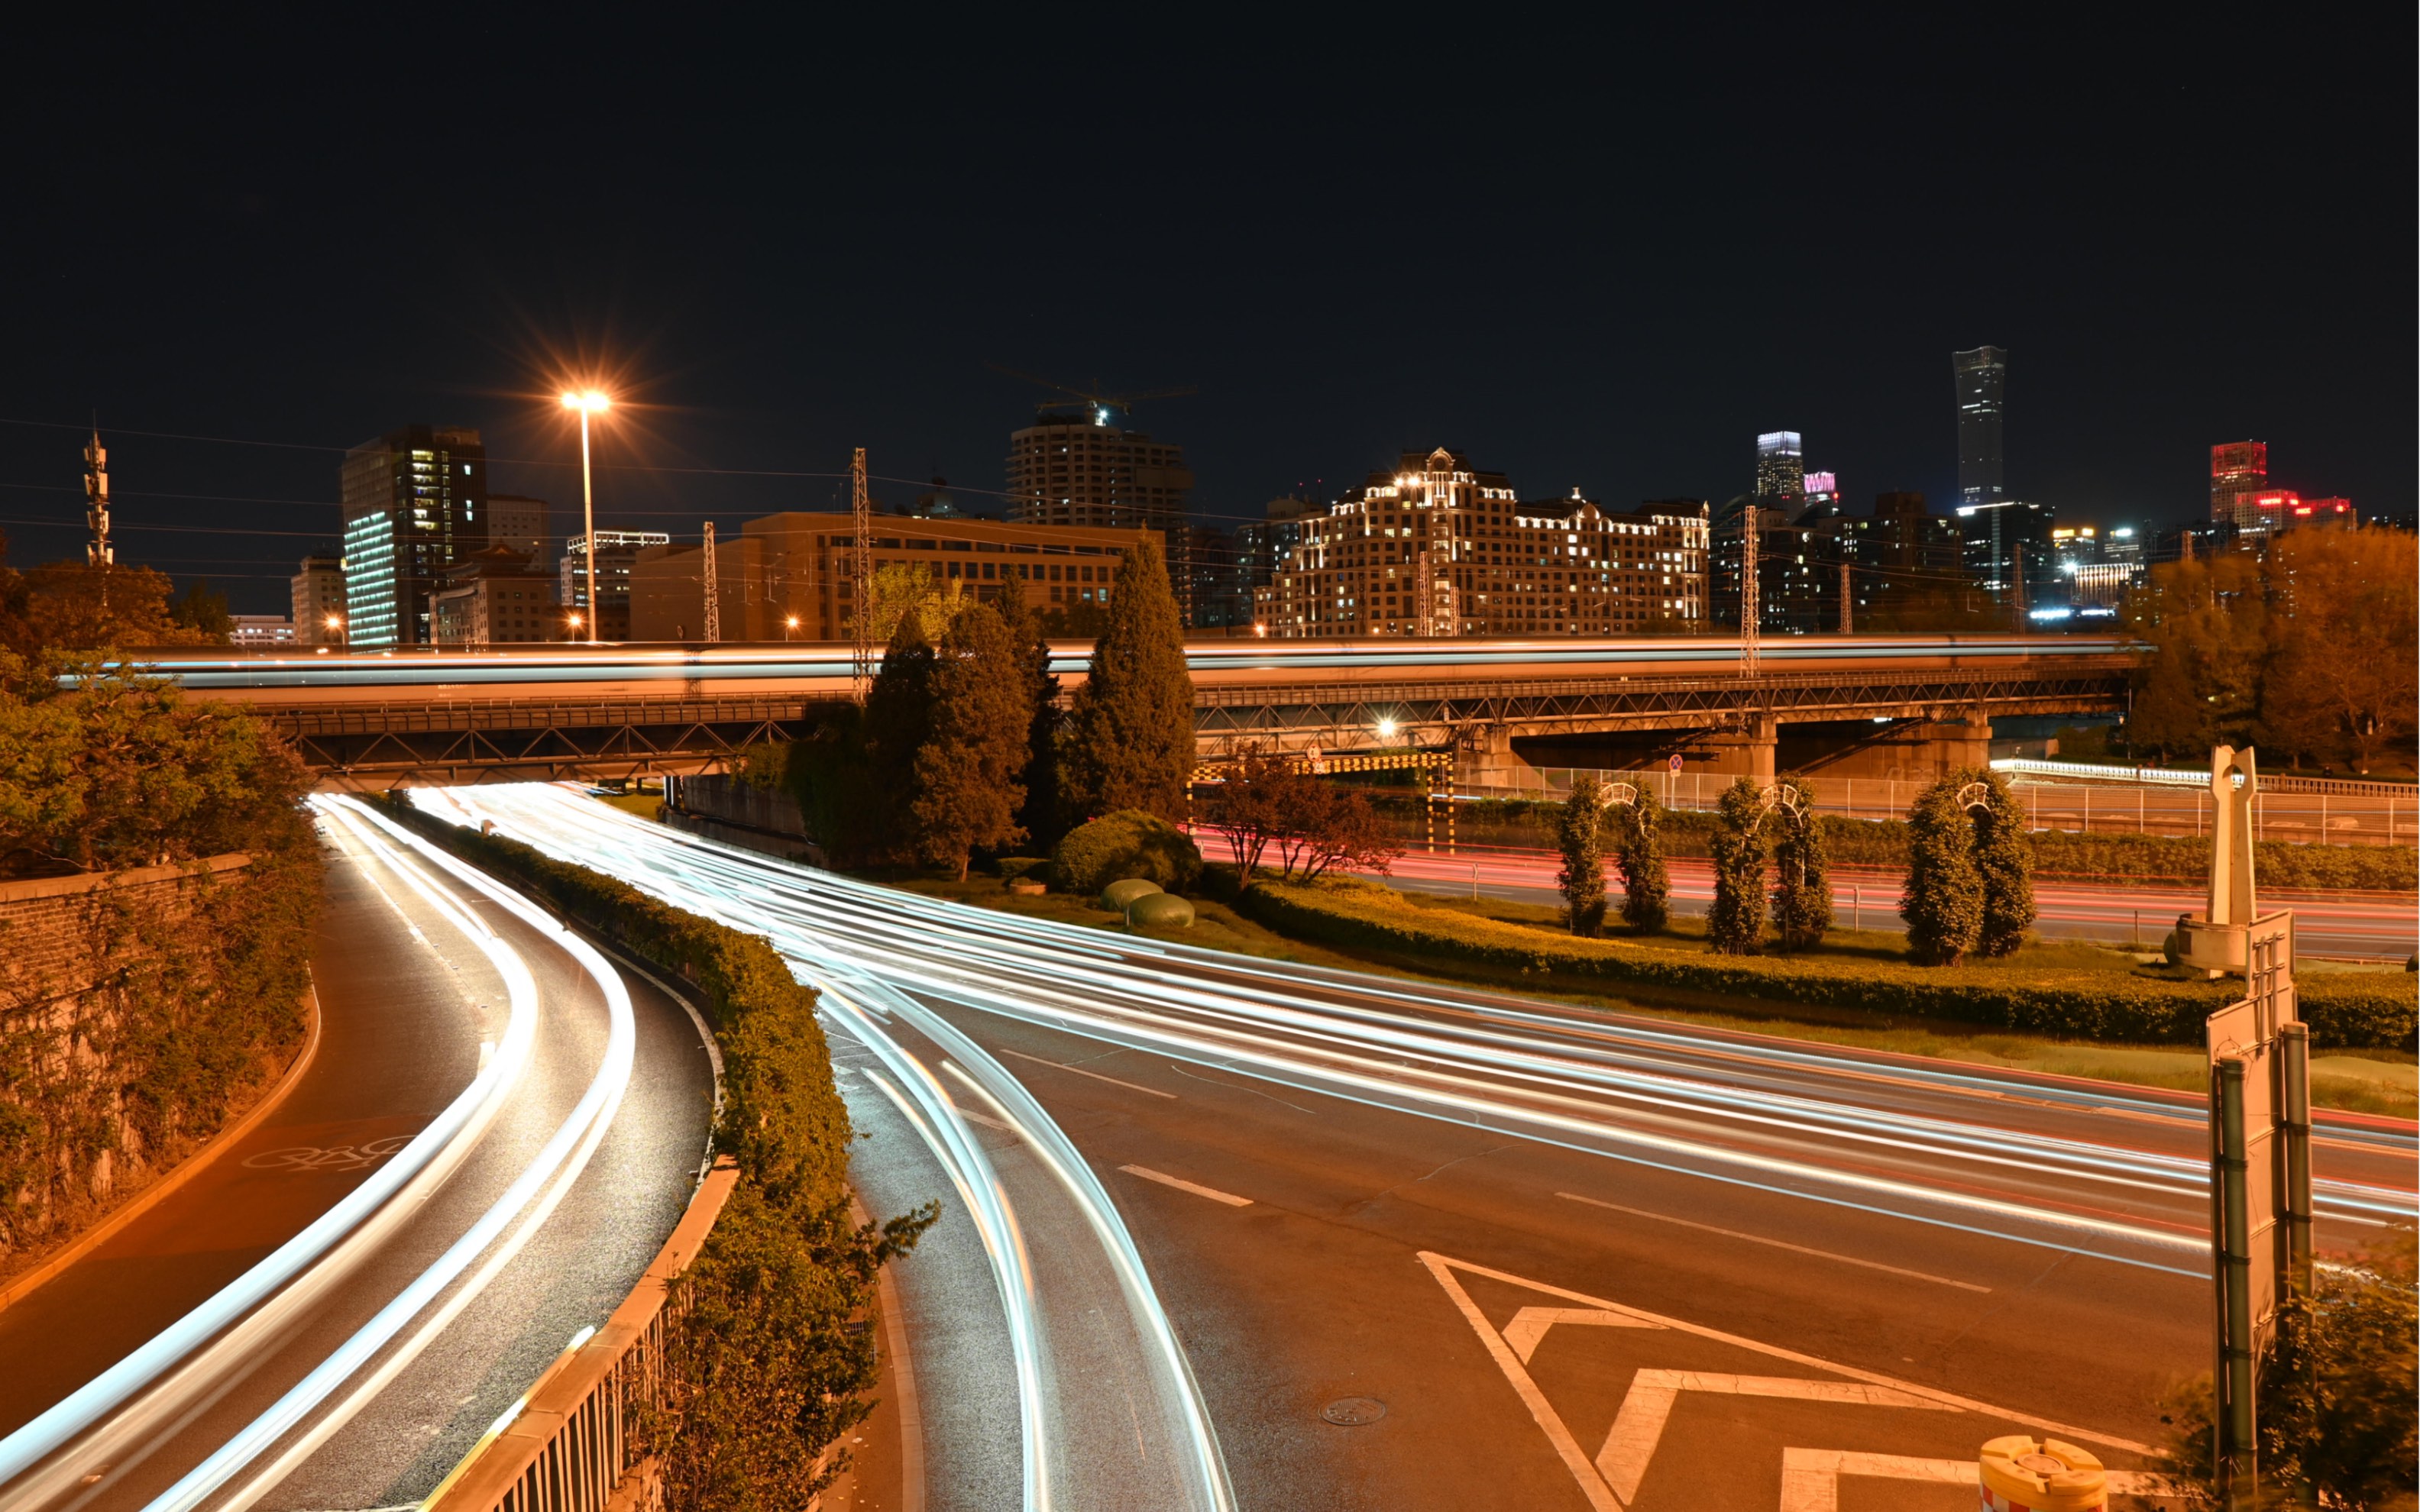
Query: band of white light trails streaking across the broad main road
[{"x": 1611, "y": 1090}]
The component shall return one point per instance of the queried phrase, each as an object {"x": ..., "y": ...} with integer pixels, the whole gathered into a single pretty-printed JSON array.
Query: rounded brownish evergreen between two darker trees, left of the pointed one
[{"x": 967, "y": 771}]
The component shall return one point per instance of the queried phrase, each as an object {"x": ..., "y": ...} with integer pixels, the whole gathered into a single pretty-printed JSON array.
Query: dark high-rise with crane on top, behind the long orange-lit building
[{"x": 1076, "y": 468}]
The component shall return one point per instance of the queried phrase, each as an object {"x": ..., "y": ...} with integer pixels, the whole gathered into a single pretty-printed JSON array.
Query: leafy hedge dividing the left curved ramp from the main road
[{"x": 768, "y": 1370}]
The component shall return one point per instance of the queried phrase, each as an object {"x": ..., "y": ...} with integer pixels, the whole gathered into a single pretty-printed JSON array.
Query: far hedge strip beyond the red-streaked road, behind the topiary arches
[{"x": 2056, "y": 853}]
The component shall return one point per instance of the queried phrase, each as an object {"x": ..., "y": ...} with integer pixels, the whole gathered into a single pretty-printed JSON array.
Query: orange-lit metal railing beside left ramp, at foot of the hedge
[{"x": 567, "y": 1443}]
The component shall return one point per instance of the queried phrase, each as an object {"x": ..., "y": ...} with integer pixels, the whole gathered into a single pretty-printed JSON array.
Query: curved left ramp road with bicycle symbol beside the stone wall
[{"x": 413, "y": 1010}]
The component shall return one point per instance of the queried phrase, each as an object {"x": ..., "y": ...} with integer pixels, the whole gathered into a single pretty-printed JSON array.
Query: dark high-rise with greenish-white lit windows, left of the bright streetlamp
[{"x": 415, "y": 502}]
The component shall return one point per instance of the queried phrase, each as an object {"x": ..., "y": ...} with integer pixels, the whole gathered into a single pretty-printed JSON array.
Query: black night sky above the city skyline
[{"x": 1586, "y": 255}]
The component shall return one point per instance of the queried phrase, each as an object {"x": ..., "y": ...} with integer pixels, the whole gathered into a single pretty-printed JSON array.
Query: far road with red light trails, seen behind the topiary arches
[{"x": 2356, "y": 925}]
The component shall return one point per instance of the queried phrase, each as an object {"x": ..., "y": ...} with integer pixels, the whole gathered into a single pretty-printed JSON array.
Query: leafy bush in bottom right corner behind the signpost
[{"x": 2337, "y": 1397}]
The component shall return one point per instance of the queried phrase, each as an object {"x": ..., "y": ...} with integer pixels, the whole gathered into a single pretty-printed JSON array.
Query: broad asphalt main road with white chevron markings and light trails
[{"x": 1436, "y": 1247}]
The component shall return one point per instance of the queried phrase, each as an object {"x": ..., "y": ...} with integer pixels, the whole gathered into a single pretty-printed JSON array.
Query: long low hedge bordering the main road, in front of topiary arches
[{"x": 2344, "y": 1010}]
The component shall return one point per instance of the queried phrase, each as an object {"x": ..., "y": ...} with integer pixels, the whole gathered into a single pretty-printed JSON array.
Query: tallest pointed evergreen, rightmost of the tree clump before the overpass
[{"x": 1131, "y": 732}]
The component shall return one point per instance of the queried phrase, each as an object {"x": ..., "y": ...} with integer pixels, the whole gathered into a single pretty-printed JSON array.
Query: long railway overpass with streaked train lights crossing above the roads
[{"x": 1848, "y": 705}]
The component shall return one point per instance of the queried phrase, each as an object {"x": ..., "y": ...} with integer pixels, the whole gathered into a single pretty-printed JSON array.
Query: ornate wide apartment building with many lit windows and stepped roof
[{"x": 1439, "y": 548}]
